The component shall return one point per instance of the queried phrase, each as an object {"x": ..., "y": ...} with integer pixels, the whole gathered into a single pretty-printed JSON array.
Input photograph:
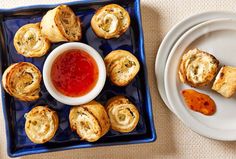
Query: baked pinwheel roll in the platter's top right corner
[{"x": 110, "y": 21}]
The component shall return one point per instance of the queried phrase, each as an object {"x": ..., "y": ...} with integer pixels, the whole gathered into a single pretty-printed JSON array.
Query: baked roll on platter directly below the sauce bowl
[{"x": 90, "y": 121}]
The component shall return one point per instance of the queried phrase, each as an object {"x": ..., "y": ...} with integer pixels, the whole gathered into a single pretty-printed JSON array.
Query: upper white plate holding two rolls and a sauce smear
[{"x": 219, "y": 38}]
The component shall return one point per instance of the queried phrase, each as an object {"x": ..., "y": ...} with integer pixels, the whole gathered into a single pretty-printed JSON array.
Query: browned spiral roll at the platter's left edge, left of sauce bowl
[{"x": 22, "y": 80}]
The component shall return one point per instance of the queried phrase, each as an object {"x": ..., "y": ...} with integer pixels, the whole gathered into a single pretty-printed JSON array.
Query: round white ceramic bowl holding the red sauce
[{"x": 74, "y": 100}]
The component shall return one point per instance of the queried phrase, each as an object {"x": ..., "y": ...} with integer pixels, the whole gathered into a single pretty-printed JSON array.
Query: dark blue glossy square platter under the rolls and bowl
[{"x": 137, "y": 91}]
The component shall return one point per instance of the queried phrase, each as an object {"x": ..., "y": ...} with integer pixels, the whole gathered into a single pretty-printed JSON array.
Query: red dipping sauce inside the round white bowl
[{"x": 74, "y": 73}]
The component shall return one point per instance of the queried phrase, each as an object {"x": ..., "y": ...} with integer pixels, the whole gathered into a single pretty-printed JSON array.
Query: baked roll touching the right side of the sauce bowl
[{"x": 121, "y": 66}]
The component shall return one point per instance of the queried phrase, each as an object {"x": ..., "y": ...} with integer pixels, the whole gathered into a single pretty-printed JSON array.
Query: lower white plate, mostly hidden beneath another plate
[{"x": 172, "y": 36}]
